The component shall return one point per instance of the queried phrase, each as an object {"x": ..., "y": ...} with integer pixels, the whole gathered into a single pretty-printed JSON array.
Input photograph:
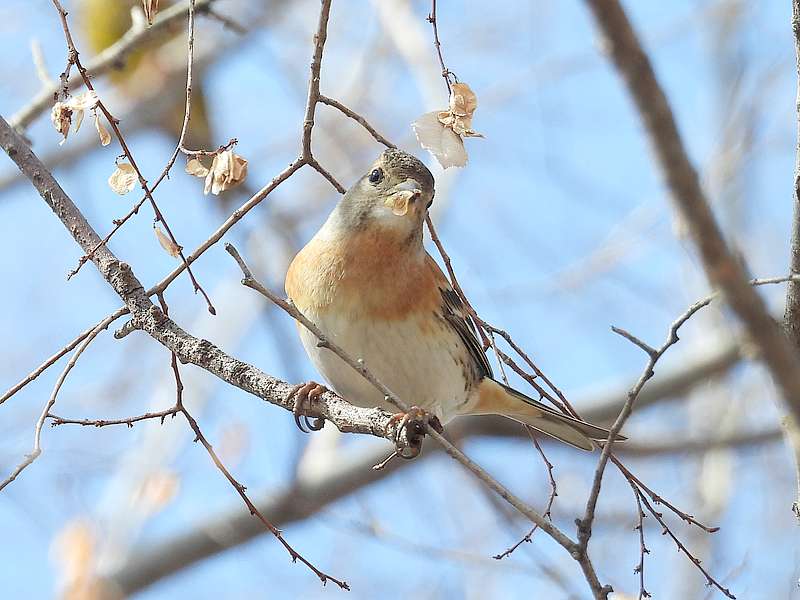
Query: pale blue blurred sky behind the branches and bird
[{"x": 559, "y": 227}]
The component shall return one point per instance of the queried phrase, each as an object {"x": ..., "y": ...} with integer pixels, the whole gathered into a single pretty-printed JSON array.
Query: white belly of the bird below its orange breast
[{"x": 422, "y": 370}]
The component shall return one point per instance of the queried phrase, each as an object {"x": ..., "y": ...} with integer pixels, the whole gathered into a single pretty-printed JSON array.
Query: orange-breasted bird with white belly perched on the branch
[{"x": 367, "y": 282}]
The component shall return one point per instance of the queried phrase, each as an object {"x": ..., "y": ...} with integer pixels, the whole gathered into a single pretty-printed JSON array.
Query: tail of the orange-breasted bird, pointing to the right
[{"x": 498, "y": 399}]
